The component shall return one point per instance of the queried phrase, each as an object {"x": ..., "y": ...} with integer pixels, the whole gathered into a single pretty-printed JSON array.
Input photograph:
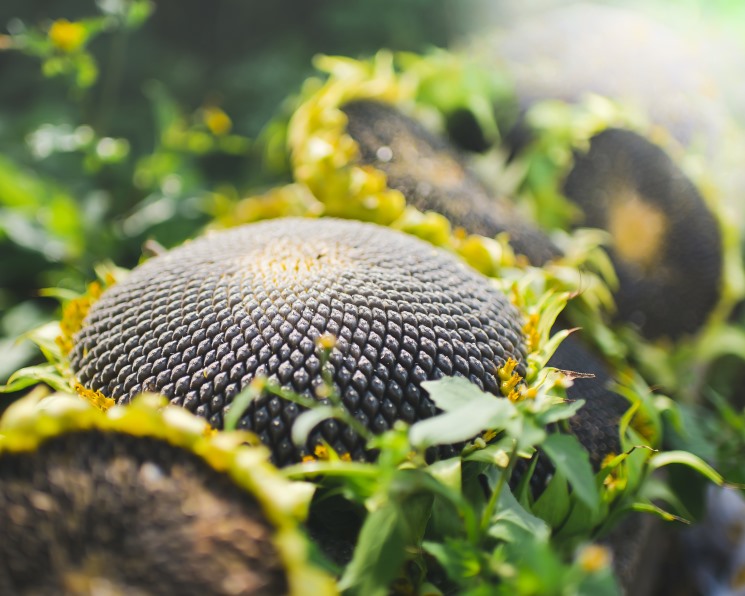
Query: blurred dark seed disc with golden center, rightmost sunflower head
[{"x": 670, "y": 287}]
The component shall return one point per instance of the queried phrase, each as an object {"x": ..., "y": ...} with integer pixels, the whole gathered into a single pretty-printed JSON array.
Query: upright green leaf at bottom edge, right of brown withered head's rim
[{"x": 378, "y": 555}]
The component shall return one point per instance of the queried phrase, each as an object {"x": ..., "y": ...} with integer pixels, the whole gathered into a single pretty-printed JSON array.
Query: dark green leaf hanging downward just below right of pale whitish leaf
[{"x": 571, "y": 459}]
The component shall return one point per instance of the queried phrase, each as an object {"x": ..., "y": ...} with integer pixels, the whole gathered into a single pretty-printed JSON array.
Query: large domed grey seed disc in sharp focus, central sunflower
[{"x": 200, "y": 322}]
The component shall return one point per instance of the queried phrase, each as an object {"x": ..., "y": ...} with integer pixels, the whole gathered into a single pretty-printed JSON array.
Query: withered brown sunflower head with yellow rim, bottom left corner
[{"x": 141, "y": 501}]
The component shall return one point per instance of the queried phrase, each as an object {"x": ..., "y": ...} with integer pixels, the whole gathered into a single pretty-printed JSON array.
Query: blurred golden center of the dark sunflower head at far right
[{"x": 638, "y": 229}]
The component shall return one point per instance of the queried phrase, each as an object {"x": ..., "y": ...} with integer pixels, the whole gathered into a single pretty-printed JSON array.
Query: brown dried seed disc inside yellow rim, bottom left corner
[{"x": 93, "y": 512}]
